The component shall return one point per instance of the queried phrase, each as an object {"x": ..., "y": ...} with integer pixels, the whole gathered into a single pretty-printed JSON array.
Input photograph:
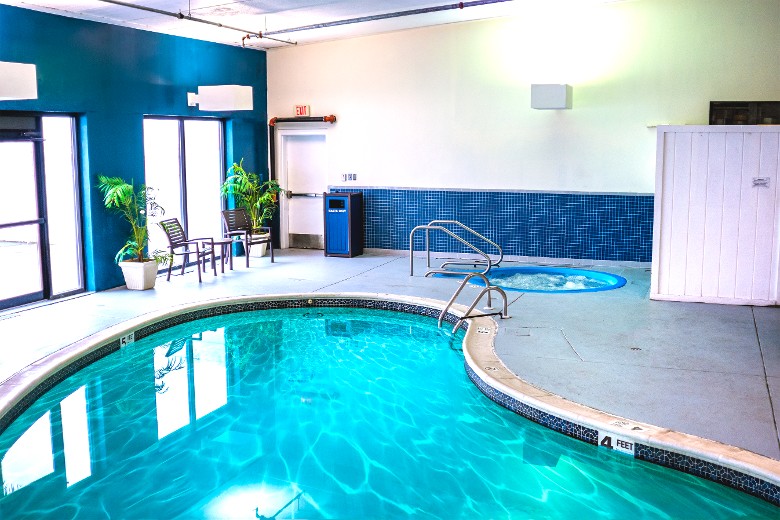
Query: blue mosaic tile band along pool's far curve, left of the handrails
[{"x": 219, "y": 310}]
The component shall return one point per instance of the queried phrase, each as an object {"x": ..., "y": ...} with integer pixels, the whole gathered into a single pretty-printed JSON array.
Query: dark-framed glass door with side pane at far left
[{"x": 40, "y": 242}]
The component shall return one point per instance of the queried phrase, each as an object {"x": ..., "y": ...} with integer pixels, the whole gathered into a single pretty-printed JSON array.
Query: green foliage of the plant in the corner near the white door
[{"x": 260, "y": 199}]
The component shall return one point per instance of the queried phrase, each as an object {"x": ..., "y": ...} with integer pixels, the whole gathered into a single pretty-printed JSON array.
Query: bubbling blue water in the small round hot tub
[{"x": 553, "y": 279}]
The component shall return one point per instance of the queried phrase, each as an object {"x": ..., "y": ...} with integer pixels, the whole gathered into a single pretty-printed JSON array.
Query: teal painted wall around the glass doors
[{"x": 111, "y": 77}]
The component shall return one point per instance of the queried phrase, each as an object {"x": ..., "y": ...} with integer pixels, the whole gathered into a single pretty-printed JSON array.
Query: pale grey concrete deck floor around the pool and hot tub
[{"x": 705, "y": 370}]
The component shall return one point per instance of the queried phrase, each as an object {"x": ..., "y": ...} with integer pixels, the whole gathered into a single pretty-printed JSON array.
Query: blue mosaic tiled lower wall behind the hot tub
[{"x": 552, "y": 225}]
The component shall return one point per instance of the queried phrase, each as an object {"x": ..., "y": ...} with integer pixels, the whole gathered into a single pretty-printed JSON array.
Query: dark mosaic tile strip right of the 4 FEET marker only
[{"x": 701, "y": 468}]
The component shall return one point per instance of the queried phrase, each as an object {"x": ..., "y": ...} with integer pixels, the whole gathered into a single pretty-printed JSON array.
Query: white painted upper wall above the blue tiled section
[{"x": 449, "y": 106}]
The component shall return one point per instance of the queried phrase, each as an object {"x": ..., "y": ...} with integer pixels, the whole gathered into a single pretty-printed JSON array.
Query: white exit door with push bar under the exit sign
[{"x": 304, "y": 175}]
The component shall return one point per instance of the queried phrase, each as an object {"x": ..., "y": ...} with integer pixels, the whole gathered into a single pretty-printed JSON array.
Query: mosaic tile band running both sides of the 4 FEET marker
[{"x": 685, "y": 463}]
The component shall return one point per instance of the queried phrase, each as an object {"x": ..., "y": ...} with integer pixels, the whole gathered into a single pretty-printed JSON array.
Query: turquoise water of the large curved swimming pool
[{"x": 316, "y": 413}]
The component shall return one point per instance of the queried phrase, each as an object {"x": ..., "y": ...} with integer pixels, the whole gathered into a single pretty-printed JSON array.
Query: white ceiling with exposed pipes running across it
[{"x": 279, "y": 21}]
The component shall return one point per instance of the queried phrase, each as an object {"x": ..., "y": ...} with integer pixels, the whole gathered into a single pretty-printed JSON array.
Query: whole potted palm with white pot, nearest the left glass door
[{"x": 136, "y": 206}]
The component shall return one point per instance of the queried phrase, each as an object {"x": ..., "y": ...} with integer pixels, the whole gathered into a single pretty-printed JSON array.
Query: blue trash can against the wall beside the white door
[{"x": 343, "y": 224}]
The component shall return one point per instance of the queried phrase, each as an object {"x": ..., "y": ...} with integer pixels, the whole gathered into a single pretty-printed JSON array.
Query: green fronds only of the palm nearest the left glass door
[{"x": 136, "y": 206}]
